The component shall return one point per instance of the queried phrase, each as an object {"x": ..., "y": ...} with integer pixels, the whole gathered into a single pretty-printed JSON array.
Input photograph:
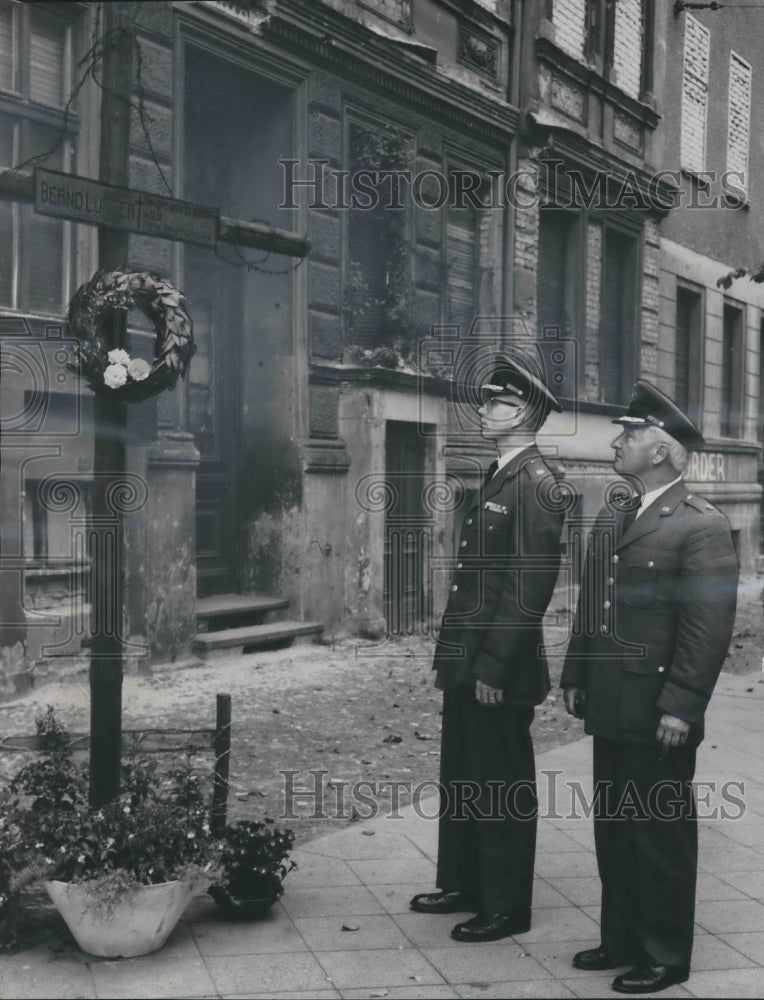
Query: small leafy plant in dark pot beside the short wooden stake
[{"x": 254, "y": 862}]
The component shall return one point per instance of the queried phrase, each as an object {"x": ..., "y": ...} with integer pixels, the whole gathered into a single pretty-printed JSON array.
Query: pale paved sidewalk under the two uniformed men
[{"x": 344, "y": 929}]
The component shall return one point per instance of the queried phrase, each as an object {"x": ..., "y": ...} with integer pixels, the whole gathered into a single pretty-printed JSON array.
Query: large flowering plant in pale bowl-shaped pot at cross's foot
[{"x": 120, "y": 875}]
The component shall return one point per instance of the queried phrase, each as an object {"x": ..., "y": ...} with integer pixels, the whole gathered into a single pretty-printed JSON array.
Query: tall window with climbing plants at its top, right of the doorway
[{"x": 377, "y": 285}]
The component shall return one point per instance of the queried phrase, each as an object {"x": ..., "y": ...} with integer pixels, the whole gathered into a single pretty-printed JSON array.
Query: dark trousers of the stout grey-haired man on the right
[{"x": 646, "y": 839}]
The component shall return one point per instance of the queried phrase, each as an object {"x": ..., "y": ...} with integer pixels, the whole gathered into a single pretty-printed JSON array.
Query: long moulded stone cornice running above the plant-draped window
[{"x": 350, "y": 50}]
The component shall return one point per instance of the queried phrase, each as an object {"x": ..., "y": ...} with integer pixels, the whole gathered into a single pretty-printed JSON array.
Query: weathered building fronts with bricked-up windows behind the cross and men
[{"x": 468, "y": 174}]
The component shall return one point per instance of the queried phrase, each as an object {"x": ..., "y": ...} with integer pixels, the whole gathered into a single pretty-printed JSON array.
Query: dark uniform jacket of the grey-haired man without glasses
[{"x": 655, "y": 616}]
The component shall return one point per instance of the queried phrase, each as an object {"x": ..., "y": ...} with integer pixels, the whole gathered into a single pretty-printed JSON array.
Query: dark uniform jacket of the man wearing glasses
[{"x": 507, "y": 563}]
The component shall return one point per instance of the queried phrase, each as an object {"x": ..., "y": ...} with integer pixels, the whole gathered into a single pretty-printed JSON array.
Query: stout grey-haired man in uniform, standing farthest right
[{"x": 654, "y": 622}]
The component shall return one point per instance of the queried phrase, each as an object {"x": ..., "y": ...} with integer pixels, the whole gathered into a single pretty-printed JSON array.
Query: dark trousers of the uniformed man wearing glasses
[{"x": 489, "y": 808}]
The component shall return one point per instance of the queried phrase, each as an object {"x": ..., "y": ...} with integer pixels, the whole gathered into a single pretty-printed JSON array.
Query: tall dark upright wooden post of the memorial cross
[{"x": 107, "y": 538}]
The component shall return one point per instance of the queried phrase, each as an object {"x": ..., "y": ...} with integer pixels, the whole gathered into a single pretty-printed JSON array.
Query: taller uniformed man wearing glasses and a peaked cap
[{"x": 491, "y": 667}]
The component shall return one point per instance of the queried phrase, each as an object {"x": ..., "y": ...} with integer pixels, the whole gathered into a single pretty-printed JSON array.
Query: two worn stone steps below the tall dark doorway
[{"x": 235, "y": 624}]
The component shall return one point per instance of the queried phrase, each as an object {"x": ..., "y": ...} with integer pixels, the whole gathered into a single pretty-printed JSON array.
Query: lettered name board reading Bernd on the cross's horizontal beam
[{"x": 80, "y": 199}]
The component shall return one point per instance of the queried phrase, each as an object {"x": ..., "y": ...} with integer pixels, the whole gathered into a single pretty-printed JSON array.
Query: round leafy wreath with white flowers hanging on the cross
[{"x": 114, "y": 371}]
